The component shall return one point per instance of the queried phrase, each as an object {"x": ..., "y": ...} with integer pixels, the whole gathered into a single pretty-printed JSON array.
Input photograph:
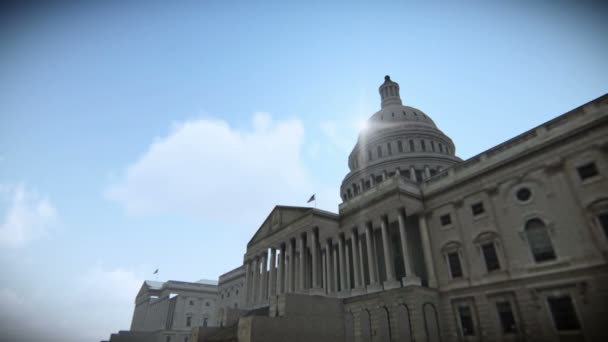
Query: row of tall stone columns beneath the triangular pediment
[{"x": 304, "y": 264}]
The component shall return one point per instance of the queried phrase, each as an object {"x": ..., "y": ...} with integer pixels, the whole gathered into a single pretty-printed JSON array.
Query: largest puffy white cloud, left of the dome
[{"x": 208, "y": 169}]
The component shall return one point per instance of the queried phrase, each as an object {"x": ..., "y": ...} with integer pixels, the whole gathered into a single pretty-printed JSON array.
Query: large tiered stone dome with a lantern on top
[{"x": 398, "y": 141}]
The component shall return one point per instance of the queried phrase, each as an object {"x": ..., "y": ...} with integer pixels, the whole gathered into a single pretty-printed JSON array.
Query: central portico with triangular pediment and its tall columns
[{"x": 369, "y": 251}]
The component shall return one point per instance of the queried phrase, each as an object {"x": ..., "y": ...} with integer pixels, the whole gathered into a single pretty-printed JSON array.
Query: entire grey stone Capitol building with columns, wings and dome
[{"x": 509, "y": 245}]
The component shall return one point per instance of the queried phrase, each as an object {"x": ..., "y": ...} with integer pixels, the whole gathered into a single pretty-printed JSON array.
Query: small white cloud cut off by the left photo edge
[{"x": 28, "y": 215}]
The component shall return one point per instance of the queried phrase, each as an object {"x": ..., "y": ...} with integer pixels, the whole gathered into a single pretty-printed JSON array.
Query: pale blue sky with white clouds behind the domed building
[{"x": 136, "y": 137}]
